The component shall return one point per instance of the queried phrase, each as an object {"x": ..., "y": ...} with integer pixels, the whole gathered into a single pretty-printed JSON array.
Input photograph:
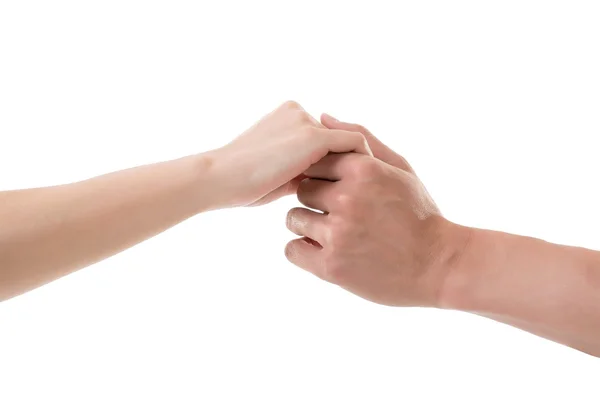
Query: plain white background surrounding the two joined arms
[{"x": 496, "y": 104}]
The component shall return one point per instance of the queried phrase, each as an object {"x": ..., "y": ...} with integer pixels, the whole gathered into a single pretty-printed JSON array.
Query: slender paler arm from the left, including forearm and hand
[{"x": 49, "y": 232}]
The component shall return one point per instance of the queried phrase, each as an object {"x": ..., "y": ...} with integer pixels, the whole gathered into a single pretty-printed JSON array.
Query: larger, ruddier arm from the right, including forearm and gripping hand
[{"x": 378, "y": 234}]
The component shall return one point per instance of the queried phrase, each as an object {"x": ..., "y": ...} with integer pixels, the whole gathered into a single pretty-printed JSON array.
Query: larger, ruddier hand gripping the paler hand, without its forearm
[{"x": 381, "y": 236}]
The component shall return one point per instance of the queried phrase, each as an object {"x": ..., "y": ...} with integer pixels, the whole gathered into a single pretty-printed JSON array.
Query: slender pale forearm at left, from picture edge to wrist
[{"x": 49, "y": 232}]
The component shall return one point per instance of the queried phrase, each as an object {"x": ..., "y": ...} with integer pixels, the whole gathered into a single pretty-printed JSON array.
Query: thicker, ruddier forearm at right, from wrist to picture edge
[{"x": 547, "y": 289}]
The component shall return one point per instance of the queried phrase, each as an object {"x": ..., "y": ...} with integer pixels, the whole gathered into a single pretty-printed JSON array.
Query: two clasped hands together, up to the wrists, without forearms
[{"x": 369, "y": 224}]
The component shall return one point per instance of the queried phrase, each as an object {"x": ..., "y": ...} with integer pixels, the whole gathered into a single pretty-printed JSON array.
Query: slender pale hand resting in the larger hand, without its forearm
[{"x": 267, "y": 161}]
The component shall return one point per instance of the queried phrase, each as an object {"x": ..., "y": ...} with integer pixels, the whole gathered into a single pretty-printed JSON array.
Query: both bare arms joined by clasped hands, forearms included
[{"x": 379, "y": 235}]
